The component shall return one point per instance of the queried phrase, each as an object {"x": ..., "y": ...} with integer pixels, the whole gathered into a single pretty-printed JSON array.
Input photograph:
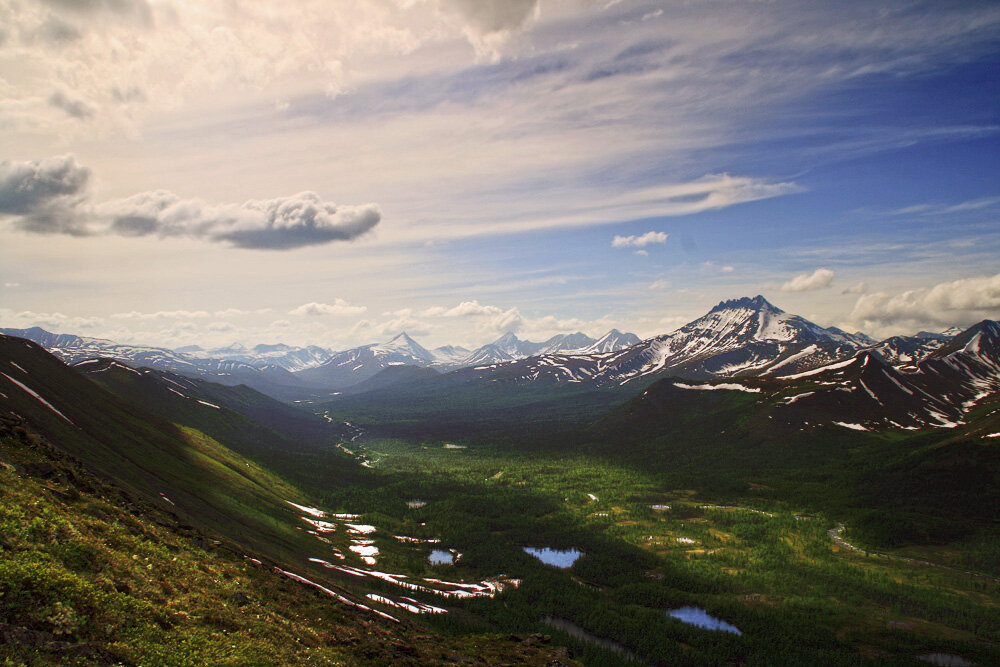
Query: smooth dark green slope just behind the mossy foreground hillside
[{"x": 178, "y": 468}]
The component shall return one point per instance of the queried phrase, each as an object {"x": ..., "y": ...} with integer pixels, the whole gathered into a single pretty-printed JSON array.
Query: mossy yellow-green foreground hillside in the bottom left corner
[{"x": 92, "y": 575}]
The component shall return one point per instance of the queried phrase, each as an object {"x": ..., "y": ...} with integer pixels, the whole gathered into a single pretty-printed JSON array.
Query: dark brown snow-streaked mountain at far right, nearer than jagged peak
[{"x": 861, "y": 393}]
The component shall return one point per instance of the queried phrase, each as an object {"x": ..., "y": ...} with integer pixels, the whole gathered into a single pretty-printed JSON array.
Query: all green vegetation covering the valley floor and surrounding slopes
[{"x": 676, "y": 498}]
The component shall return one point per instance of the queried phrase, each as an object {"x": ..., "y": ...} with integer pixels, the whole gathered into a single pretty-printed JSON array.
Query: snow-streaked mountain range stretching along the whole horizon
[{"x": 737, "y": 339}]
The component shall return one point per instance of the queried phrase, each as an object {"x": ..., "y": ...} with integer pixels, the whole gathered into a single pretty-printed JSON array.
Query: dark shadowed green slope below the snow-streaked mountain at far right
[{"x": 897, "y": 487}]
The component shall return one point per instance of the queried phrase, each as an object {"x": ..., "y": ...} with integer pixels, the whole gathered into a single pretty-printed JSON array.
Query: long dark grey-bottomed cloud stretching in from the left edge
[{"x": 49, "y": 196}]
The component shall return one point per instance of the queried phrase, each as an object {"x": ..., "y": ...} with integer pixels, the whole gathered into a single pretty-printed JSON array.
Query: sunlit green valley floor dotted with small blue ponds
[{"x": 764, "y": 567}]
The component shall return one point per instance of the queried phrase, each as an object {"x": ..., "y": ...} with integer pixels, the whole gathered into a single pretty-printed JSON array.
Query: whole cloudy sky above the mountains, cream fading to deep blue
[{"x": 176, "y": 173}]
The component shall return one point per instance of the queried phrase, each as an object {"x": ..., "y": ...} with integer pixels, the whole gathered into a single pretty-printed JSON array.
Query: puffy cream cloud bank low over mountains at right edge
[{"x": 959, "y": 302}]
